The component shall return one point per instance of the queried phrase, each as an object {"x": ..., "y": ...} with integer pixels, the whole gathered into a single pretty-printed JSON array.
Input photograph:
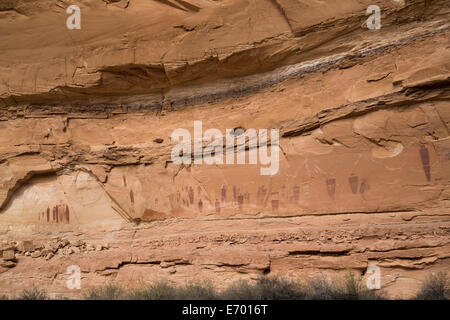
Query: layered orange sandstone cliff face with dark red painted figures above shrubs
[{"x": 87, "y": 116}]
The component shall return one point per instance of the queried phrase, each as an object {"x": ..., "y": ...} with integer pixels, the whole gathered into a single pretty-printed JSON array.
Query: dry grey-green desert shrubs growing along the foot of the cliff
[{"x": 350, "y": 287}]
